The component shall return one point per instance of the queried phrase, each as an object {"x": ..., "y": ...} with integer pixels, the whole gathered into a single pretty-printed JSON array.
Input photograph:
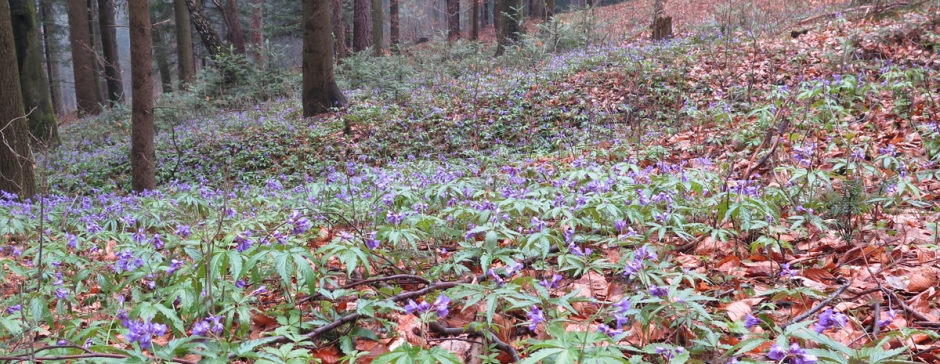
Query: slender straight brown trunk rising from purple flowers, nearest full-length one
[{"x": 143, "y": 156}]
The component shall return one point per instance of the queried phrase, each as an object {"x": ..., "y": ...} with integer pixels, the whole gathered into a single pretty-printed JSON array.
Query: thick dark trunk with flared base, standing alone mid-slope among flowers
[{"x": 320, "y": 91}]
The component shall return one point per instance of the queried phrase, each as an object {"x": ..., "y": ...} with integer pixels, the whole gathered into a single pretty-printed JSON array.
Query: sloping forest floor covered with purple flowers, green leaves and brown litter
[{"x": 732, "y": 195}]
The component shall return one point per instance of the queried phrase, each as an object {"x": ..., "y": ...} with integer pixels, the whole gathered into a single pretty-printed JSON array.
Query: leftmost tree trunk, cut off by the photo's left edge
[{"x": 16, "y": 166}]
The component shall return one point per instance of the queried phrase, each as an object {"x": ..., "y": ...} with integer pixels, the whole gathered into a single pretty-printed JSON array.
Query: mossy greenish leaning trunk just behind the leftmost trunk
[{"x": 33, "y": 82}]
